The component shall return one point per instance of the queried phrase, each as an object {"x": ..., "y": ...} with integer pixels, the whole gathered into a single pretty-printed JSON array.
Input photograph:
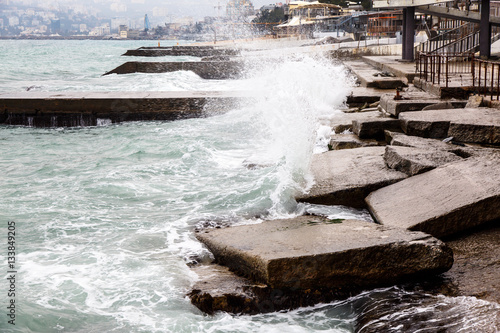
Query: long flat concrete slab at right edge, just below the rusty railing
[{"x": 478, "y": 125}]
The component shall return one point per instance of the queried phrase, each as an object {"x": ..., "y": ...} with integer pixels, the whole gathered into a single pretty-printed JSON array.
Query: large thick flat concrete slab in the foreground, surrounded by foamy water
[{"x": 311, "y": 252}]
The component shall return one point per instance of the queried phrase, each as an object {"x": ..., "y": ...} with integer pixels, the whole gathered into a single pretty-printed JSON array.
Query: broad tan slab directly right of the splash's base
[{"x": 346, "y": 177}]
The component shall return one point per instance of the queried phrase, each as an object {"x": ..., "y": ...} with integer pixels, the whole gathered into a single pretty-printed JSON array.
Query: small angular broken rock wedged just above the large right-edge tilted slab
[{"x": 413, "y": 161}]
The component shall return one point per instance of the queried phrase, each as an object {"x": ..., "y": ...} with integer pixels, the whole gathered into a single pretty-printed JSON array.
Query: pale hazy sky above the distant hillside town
[{"x": 136, "y": 8}]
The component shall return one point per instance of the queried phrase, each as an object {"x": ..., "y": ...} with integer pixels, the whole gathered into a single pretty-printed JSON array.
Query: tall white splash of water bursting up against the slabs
[{"x": 293, "y": 93}]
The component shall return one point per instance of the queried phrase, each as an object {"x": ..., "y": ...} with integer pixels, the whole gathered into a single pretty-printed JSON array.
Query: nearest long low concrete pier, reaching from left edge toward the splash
[{"x": 84, "y": 109}]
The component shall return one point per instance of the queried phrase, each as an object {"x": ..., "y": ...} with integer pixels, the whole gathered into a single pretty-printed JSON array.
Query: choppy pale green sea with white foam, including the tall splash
[{"x": 105, "y": 216}]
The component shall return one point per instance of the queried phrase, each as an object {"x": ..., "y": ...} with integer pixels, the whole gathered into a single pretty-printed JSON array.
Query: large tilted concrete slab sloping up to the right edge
[{"x": 443, "y": 201}]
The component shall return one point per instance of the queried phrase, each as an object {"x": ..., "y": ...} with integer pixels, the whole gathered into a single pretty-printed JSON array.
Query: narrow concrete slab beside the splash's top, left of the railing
[{"x": 369, "y": 76}]
